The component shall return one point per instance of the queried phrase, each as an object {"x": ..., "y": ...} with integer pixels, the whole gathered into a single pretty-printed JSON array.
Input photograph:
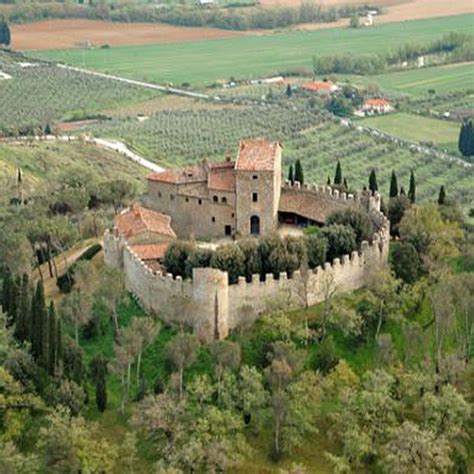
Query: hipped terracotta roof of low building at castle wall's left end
[{"x": 137, "y": 219}]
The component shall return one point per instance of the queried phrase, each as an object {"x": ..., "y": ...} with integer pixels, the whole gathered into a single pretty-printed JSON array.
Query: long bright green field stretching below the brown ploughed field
[{"x": 204, "y": 62}]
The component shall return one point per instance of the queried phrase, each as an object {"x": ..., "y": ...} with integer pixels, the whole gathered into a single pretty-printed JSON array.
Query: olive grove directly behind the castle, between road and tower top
[{"x": 174, "y": 137}]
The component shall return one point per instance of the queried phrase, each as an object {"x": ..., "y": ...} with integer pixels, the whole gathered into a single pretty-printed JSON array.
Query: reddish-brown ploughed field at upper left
[{"x": 62, "y": 34}]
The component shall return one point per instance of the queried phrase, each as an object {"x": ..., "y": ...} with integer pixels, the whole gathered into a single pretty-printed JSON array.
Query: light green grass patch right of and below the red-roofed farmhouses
[{"x": 415, "y": 128}]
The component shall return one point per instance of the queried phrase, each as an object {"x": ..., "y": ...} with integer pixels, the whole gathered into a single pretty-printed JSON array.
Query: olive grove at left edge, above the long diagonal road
[{"x": 37, "y": 94}]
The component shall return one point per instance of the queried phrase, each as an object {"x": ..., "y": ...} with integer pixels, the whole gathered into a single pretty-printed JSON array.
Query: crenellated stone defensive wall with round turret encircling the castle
[{"x": 218, "y": 307}]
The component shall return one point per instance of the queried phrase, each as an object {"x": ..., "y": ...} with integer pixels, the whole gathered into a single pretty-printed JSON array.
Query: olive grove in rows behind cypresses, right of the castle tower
[{"x": 320, "y": 149}]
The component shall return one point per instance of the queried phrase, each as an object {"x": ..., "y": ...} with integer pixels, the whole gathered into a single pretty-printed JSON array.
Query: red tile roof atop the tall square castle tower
[{"x": 257, "y": 155}]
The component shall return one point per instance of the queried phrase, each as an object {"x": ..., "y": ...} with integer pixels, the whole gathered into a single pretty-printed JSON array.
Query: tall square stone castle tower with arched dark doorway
[{"x": 258, "y": 186}]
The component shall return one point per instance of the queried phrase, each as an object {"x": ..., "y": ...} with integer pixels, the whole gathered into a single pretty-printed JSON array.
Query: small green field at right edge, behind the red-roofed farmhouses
[{"x": 417, "y": 82}]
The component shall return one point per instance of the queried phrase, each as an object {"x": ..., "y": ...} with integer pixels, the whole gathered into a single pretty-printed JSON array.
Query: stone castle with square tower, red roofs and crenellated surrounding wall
[{"x": 234, "y": 199}]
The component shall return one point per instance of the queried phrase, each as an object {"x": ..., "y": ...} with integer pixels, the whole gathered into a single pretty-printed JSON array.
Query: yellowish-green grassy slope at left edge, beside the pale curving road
[{"x": 41, "y": 163}]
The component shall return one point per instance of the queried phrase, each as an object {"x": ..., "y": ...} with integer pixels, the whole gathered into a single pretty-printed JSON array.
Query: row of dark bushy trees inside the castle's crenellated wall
[{"x": 272, "y": 254}]
